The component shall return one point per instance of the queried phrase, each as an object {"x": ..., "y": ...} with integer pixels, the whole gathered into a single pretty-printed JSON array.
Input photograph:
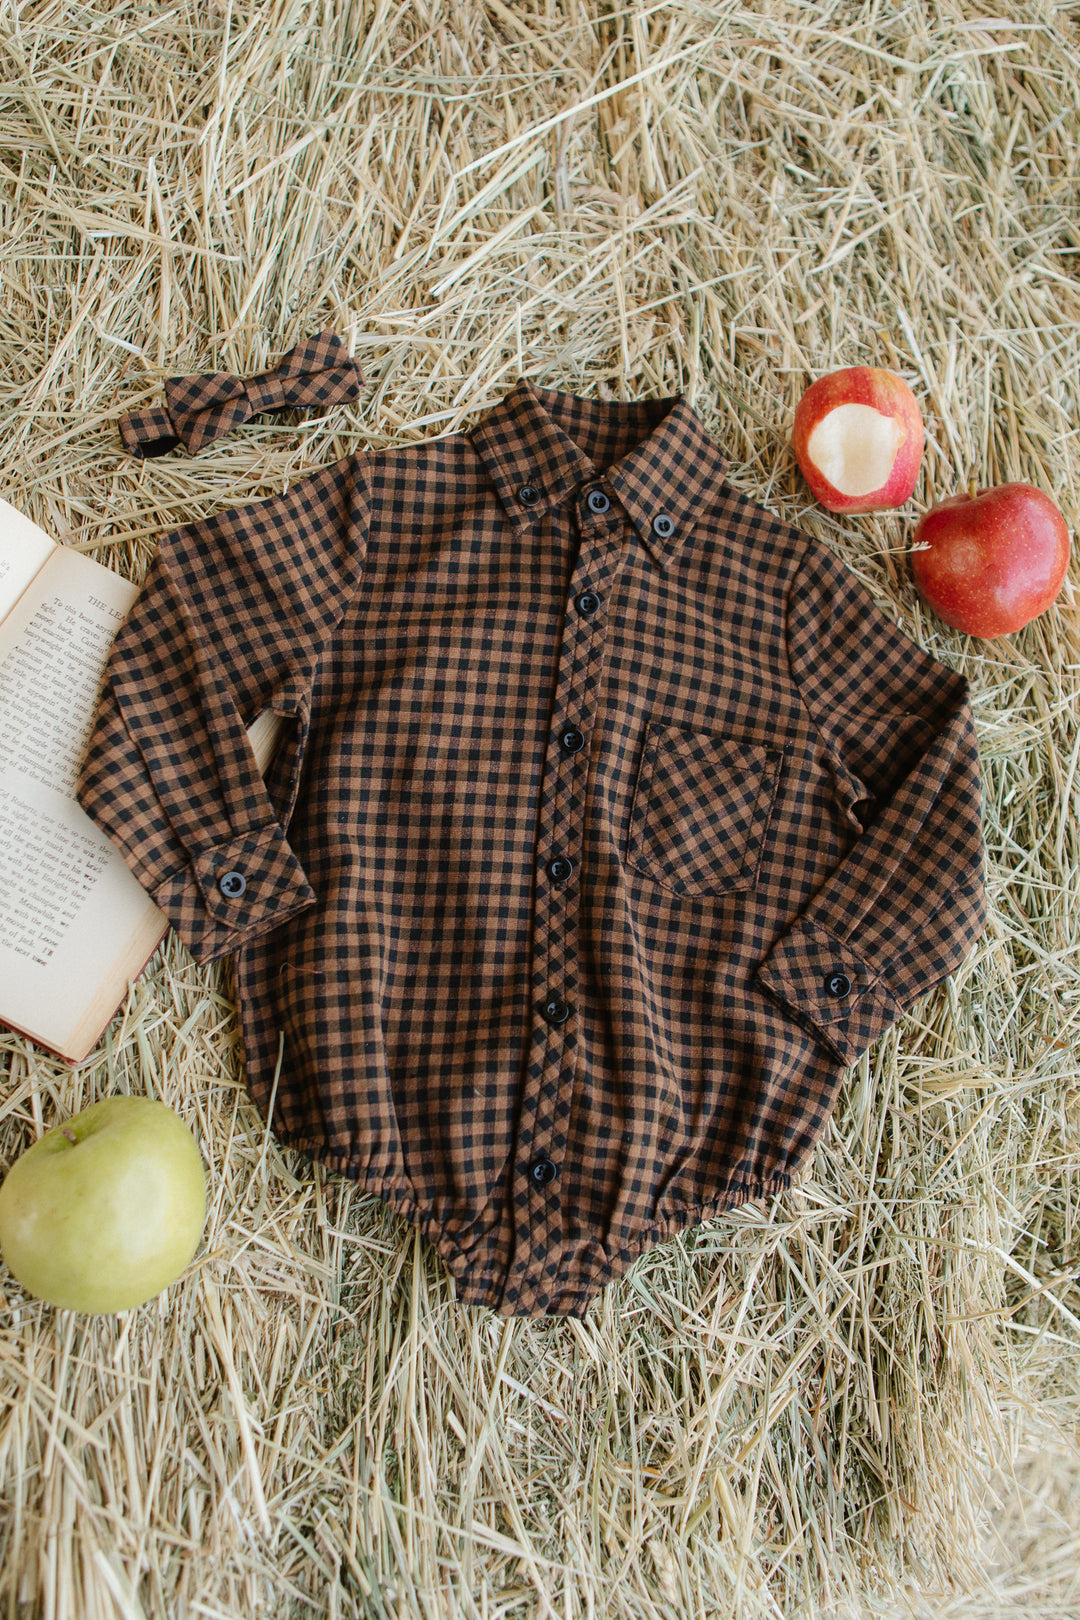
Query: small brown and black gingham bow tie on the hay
[{"x": 313, "y": 377}]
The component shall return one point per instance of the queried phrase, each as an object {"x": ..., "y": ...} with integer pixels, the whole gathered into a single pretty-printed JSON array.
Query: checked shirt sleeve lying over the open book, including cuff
[{"x": 231, "y": 621}]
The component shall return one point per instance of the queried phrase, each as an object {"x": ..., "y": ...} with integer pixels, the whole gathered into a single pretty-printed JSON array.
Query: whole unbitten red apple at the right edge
[{"x": 993, "y": 560}]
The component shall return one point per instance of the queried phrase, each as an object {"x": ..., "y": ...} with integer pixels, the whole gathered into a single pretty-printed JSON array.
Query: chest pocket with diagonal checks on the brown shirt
[{"x": 702, "y": 811}]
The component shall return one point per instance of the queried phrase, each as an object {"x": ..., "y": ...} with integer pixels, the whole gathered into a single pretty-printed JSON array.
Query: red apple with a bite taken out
[{"x": 859, "y": 440}]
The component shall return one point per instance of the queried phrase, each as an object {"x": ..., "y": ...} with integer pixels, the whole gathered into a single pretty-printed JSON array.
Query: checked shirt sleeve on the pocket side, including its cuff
[{"x": 906, "y": 905}]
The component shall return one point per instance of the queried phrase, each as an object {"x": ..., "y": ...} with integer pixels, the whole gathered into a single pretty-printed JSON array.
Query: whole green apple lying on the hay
[{"x": 108, "y": 1209}]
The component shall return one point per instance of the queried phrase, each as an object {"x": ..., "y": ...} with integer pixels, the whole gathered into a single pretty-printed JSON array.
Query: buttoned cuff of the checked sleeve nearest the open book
[{"x": 236, "y": 893}]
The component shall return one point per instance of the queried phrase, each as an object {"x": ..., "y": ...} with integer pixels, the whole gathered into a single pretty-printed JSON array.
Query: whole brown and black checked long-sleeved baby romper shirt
[{"x": 613, "y": 821}]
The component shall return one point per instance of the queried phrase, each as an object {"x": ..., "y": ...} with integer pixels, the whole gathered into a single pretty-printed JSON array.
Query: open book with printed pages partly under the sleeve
[{"x": 75, "y": 924}]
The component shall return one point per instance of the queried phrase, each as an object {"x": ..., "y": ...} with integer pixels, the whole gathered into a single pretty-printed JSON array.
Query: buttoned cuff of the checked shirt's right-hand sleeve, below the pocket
[{"x": 830, "y": 991}]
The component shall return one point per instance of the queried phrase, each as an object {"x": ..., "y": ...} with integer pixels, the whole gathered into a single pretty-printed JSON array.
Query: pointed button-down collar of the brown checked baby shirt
[{"x": 668, "y": 475}]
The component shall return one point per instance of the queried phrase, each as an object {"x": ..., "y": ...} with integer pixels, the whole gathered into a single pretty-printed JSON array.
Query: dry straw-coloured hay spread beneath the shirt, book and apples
[{"x": 862, "y": 1400}]
